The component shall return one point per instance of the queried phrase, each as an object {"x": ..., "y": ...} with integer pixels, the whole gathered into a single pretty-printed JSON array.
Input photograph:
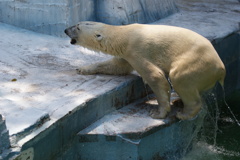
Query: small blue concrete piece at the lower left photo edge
[{"x": 4, "y": 137}]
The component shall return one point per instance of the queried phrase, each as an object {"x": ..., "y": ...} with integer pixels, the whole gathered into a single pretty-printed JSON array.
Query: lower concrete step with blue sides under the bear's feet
[{"x": 130, "y": 133}]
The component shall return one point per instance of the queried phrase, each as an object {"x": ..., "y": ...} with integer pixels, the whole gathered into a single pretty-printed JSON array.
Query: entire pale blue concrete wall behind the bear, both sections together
[{"x": 52, "y": 17}]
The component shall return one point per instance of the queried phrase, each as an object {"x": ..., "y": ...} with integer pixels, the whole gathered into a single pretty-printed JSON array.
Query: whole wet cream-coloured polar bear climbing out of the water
[{"x": 156, "y": 52}]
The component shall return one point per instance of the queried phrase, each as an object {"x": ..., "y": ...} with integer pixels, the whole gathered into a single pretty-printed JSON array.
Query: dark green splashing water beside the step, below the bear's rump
[{"x": 218, "y": 144}]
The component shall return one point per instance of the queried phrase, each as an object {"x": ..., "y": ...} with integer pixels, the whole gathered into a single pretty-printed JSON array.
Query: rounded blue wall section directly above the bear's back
[{"x": 122, "y": 12}]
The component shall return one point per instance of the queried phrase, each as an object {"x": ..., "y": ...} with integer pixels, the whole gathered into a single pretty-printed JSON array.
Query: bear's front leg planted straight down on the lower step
[{"x": 156, "y": 79}]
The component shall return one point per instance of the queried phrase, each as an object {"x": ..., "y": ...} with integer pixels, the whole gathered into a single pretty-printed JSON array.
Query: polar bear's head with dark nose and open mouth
[{"x": 86, "y": 34}]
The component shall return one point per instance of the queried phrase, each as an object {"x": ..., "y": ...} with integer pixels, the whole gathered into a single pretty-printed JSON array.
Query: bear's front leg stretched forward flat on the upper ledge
[{"x": 115, "y": 66}]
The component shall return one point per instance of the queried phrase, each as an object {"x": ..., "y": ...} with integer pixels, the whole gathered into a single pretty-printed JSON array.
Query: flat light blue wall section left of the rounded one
[{"x": 48, "y": 17}]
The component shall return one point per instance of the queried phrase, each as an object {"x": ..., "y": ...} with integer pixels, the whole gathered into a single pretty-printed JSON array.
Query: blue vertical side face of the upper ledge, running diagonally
[{"x": 61, "y": 134}]
